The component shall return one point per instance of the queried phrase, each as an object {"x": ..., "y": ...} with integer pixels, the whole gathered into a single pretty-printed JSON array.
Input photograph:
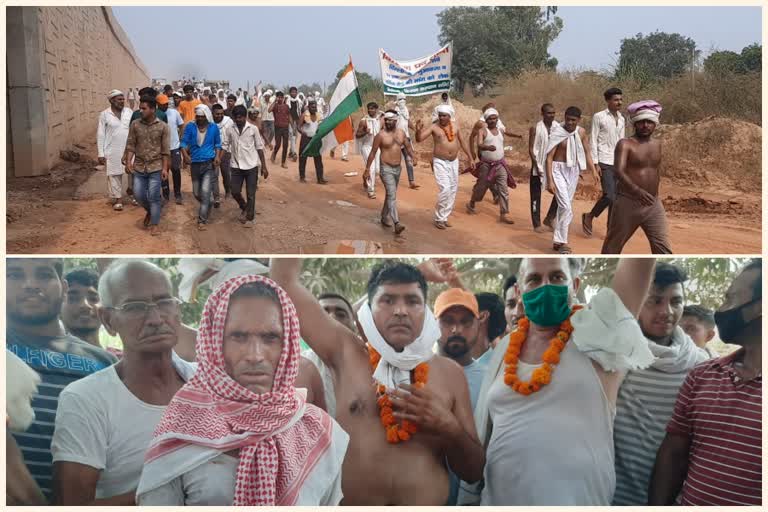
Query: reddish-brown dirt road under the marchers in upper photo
[{"x": 69, "y": 214}]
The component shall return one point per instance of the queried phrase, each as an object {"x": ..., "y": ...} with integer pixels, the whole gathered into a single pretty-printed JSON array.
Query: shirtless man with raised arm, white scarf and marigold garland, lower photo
[{"x": 395, "y": 317}]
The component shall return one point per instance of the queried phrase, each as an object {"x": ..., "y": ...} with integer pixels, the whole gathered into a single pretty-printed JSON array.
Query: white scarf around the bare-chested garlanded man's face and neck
[{"x": 394, "y": 367}]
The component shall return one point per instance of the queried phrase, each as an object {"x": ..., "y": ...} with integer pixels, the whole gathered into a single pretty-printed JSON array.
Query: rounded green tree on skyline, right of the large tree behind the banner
[{"x": 658, "y": 55}]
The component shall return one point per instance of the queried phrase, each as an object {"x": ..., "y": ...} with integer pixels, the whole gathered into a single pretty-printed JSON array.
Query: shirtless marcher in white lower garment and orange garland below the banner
[{"x": 445, "y": 161}]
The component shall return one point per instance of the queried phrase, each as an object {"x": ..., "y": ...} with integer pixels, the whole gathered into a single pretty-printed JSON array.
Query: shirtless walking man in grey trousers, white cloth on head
[{"x": 390, "y": 142}]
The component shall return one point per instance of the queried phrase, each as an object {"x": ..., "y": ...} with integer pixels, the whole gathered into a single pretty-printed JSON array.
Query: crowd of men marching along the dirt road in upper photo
[{"x": 227, "y": 135}]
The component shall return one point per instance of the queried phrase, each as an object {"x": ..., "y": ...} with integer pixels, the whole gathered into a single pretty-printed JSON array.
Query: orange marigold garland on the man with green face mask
[{"x": 543, "y": 375}]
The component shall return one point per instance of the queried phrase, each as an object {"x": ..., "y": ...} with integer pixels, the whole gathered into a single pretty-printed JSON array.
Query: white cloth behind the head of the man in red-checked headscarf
[{"x": 192, "y": 269}]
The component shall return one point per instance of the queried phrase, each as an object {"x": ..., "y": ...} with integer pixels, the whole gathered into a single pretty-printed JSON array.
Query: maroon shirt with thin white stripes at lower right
[{"x": 722, "y": 416}]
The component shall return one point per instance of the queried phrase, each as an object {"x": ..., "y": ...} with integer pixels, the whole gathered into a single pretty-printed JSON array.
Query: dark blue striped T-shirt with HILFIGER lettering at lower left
[{"x": 59, "y": 361}]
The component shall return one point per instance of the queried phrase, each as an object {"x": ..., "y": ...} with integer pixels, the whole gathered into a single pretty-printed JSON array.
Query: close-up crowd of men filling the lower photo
[{"x": 524, "y": 398}]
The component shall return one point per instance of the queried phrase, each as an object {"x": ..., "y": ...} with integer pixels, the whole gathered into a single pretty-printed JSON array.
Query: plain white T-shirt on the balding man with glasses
[{"x": 101, "y": 424}]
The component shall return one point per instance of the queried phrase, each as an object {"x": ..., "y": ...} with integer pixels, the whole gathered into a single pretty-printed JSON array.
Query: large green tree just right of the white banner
[{"x": 493, "y": 43}]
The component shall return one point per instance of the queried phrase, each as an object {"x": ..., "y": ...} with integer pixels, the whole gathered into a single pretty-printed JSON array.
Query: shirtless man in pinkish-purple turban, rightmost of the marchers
[{"x": 637, "y": 203}]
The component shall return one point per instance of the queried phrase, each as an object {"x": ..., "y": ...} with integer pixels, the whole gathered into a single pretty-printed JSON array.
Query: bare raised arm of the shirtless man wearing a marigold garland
[{"x": 327, "y": 337}]
